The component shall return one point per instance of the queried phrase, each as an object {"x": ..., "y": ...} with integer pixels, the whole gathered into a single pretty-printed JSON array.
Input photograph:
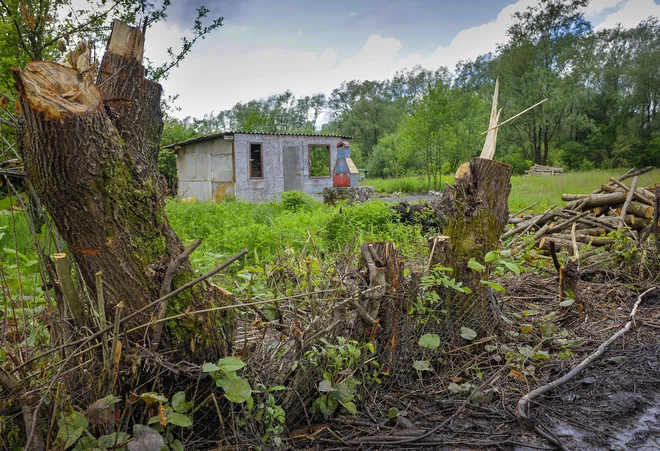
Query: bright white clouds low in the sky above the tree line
[{"x": 225, "y": 70}]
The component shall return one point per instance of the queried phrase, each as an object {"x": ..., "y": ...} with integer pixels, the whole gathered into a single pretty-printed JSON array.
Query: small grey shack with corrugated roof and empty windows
[{"x": 255, "y": 166}]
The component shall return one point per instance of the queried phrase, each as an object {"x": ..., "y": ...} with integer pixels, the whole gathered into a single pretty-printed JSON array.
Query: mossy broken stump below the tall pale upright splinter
[{"x": 477, "y": 207}]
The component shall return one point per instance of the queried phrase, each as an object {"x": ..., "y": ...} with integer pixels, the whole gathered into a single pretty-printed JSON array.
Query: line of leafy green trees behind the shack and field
[{"x": 602, "y": 89}]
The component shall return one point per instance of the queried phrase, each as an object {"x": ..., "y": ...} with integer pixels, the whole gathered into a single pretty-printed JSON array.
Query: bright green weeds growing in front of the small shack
[{"x": 267, "y": 229}]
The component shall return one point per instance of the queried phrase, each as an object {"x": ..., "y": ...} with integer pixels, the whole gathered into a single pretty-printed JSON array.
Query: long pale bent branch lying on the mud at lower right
[{"x": 523, "y": 409}]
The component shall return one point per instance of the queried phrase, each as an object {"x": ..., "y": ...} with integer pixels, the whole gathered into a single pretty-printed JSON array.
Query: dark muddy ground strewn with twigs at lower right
[{"x": 613, "y": 405}]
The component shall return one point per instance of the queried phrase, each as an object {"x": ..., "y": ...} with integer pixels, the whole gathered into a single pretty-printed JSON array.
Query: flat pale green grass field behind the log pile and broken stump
[{"x": 525, "y": 190}]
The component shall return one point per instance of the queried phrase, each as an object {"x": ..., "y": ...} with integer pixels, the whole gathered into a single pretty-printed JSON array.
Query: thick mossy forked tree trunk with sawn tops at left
[{"x": 91, "y": 150}]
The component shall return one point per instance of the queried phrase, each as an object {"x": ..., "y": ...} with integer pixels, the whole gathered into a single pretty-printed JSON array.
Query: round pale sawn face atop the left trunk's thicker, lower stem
[{"x": 56, "y": 90}]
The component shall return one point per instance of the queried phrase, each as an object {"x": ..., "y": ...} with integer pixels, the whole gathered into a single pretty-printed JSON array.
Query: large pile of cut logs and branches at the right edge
[{"x": 616, "y": 206}]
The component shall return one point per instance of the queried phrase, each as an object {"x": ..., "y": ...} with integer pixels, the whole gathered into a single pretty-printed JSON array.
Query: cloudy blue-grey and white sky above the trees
[{"x": 268, "y": 46}]
